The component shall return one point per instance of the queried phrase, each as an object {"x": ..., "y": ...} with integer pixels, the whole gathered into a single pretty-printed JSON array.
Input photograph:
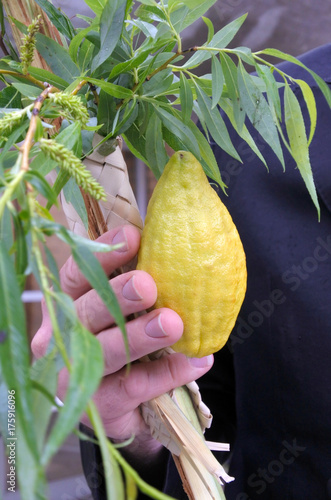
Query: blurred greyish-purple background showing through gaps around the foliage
[{"x": 293, "y": 27}]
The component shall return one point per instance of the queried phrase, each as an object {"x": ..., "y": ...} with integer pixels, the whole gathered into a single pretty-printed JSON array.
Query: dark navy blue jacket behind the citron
[{"x": 270, "y": 387}]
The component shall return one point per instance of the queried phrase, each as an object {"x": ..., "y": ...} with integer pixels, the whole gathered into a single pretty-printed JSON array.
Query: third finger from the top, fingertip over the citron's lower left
[{"x": 148, "y": 333}]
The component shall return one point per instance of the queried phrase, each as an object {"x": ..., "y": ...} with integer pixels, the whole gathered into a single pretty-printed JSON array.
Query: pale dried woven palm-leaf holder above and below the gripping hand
[{"x": 182, "y": 434}]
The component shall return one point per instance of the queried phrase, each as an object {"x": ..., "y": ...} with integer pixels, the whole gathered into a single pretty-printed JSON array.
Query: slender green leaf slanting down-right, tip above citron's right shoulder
[{"x": 215, "y": 124}]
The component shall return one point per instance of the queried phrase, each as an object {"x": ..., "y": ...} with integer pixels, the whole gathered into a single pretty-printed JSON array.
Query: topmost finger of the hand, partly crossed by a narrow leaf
[{"x": 73, "y": 281}]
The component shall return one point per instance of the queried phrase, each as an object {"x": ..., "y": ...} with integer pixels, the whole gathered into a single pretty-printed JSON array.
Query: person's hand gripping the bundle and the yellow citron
[{"x": 119, "y": 395}]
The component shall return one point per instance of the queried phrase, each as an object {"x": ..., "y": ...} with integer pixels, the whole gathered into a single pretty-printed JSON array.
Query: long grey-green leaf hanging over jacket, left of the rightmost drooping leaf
[{"x": 258, "y": 111}]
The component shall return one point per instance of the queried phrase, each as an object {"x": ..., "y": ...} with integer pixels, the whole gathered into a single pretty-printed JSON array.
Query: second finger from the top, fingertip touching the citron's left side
[{"x": 135, "y": 292}]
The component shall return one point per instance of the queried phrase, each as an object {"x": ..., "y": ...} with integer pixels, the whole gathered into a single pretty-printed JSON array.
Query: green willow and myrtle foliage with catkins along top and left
[{"x": 126, "y": 73}]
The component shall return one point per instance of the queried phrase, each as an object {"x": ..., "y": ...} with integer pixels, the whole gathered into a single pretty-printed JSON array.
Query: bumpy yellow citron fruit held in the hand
[{"x": 192, "y": 249}]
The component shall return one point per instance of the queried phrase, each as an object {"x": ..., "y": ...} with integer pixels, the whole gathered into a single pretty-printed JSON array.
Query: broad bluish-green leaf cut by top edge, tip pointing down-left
[{"x": 111, "y": 25}]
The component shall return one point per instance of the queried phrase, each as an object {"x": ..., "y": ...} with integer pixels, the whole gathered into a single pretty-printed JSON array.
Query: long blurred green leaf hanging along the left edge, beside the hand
[{"x": 14, "y": 347}]
